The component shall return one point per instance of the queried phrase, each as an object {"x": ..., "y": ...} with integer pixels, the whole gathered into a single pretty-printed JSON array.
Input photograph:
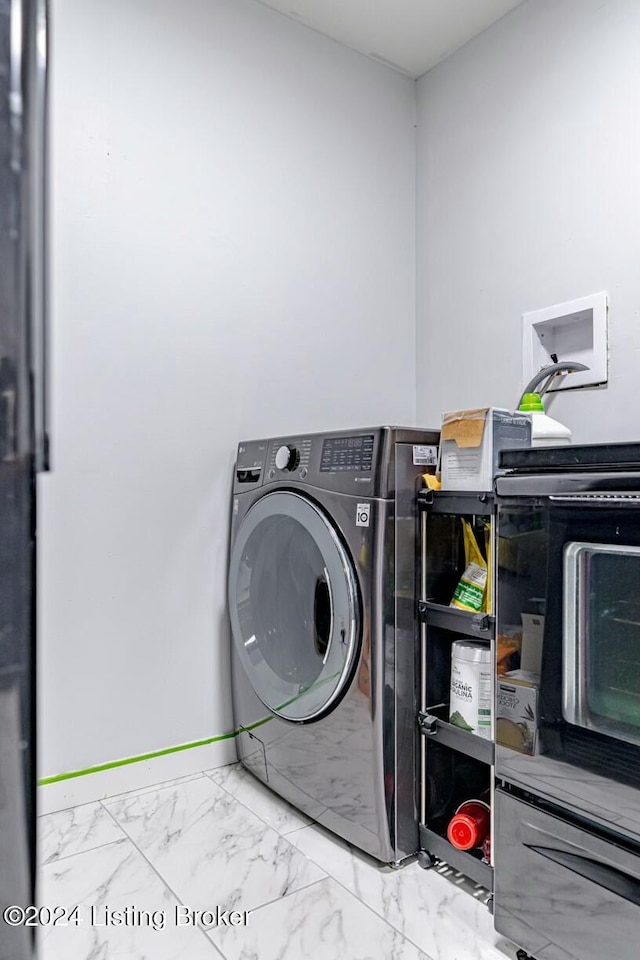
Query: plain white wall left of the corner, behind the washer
[{"x": 233, "y": 256}]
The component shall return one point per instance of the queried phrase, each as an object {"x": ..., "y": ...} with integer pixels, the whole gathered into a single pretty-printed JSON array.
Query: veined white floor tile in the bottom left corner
[{"x": 124, "y": 910}]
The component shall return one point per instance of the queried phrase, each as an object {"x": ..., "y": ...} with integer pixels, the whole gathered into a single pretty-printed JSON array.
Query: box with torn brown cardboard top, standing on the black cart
[{"x": 470, "y": 442}]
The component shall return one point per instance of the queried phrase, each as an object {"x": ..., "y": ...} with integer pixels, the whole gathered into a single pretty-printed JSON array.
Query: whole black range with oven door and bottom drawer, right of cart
[{"x": 567, "y": 804}]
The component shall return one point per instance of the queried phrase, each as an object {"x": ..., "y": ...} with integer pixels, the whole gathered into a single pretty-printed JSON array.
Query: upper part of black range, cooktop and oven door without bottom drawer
[{"x": 568, "y": 581}]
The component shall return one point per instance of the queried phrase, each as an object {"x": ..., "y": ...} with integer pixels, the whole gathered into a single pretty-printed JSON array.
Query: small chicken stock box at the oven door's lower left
[{"x": 517, "y": 711}]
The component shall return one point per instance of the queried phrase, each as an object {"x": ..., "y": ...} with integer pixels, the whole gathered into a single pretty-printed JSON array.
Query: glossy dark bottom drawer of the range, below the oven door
[{"x": 564, "y": 889}]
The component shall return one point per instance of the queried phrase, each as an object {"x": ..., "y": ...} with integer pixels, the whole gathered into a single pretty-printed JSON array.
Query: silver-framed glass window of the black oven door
[{"x": 601, "y": 645}]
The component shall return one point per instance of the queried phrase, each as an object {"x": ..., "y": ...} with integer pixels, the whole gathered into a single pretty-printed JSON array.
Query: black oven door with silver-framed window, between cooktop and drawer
[{"x": 590, "y": 668}]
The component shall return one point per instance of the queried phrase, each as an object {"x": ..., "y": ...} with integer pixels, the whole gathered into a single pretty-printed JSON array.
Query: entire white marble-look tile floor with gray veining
[{"x": 215, "y": 865}]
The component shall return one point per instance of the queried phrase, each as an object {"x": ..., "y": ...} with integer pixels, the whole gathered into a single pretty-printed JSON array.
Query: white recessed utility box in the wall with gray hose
[{"x": 576, "y": 330}]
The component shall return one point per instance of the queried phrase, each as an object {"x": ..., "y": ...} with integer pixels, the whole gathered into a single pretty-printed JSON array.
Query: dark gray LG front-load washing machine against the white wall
[{"x": 321, "y": 591}]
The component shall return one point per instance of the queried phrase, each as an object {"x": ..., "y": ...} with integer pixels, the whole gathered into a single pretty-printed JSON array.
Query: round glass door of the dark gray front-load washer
[{"x": 293, "y": 601}]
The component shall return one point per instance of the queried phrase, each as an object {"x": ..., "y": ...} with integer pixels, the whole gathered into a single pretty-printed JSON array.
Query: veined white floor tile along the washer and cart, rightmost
[{"x": 441, "y": 919}]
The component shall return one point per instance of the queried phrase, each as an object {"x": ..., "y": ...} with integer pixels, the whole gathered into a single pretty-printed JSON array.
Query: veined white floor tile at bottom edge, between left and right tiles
[{"x": 321, "y": 922}]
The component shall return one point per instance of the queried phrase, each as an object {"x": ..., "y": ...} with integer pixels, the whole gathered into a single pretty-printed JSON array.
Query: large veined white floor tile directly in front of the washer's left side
[{"x": 210, "y": 849}]
